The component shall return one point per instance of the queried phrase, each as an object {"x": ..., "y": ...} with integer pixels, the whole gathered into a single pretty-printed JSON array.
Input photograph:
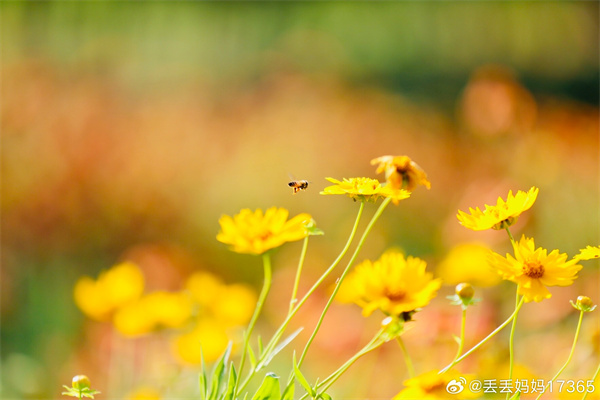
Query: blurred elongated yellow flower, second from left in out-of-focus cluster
[{"x": 153, "y": 311}]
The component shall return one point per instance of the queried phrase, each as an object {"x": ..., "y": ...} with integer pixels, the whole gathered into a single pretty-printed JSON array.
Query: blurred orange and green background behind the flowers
[{"x": 129, "y": 128}]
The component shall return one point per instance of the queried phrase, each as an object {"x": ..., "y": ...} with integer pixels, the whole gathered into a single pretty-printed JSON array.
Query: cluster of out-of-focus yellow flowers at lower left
[{"x": 206, "y": 311}]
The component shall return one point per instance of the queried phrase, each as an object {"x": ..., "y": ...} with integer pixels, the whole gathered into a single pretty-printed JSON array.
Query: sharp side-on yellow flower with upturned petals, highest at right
[{"x": 500, "y": 216}]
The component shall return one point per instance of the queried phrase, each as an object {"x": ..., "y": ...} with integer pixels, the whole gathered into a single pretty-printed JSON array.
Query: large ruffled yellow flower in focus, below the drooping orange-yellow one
[{"x": 394, "y": 284}]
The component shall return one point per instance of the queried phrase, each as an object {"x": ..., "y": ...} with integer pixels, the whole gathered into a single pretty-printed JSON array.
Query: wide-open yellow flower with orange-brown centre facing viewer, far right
[{"x": 533, "y": 269}]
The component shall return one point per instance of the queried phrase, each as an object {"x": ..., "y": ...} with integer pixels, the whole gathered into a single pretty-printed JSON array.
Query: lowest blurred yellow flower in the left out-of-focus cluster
[{"x": 207, "y": 340}]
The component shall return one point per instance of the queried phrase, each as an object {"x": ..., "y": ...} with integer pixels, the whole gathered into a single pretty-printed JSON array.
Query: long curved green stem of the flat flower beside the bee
[{"x": 277, "y": 335}]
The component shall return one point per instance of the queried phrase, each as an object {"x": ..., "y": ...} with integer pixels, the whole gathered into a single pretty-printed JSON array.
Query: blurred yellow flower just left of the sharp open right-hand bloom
[{"x": 468, "y": 262}]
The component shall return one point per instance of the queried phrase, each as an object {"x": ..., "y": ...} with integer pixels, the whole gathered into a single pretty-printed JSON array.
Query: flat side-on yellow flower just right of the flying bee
[{"x": 364, "y": 189}]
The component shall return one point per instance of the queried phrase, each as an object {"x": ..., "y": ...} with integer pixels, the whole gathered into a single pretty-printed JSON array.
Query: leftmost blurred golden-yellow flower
[{"x": 114, "y": 288}]
